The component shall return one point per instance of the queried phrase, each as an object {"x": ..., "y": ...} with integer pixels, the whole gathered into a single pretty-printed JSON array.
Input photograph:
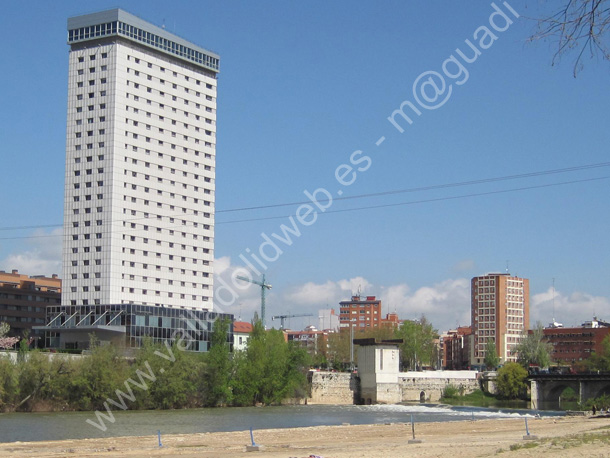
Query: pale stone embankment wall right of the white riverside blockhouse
[{"x": 428, "y": 386}]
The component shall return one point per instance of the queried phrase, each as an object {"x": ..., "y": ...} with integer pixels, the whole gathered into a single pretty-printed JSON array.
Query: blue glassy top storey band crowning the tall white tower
[{"x": 117, "y": 22}]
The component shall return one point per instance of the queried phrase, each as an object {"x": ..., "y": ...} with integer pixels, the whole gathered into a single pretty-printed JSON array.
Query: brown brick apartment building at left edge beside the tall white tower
[{"x": 23, "y": 301}]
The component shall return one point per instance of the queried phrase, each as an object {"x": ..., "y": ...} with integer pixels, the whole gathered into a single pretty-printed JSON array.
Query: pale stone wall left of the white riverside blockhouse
[{"x": 332, "y": 388}]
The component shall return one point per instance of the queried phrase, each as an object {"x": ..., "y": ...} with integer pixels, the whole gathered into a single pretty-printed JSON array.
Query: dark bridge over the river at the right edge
[{"x": 548, "y": 387}]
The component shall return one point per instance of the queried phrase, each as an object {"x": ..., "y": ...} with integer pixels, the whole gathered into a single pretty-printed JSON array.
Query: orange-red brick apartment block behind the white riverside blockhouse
[{"x": 364, "y": 312}]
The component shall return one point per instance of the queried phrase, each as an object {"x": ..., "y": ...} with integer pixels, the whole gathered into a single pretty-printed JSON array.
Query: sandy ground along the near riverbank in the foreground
[{"x": 566, "y": 436}]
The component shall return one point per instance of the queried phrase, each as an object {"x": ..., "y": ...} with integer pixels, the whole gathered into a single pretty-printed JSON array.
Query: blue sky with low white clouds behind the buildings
[{"x": 303, "y": 85}]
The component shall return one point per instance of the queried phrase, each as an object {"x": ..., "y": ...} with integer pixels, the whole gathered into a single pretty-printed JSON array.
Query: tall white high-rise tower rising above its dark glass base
[{"x": 140, "y": 165}]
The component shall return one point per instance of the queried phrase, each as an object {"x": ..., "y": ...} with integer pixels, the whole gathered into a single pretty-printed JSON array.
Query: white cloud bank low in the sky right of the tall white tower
[{"x": 445, "y": 304}]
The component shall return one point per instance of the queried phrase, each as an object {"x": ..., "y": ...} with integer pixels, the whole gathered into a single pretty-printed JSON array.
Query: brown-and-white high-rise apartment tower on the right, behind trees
[{"x": 500, "y": 312}]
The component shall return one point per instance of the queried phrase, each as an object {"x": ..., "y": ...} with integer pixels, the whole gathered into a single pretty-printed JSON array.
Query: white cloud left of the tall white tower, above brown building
[{"x": 42, "y": 255}]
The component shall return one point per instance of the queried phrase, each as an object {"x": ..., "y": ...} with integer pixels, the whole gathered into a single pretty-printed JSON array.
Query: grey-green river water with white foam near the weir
[{"x": 73, "y": 425}]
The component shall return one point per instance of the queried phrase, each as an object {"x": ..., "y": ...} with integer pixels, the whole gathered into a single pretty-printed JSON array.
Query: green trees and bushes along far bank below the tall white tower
[{"x": 269, "y": 371}]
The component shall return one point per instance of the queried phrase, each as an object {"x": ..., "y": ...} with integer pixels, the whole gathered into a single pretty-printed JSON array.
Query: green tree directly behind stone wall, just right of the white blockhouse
[{"x": 418, "y": 347}]
